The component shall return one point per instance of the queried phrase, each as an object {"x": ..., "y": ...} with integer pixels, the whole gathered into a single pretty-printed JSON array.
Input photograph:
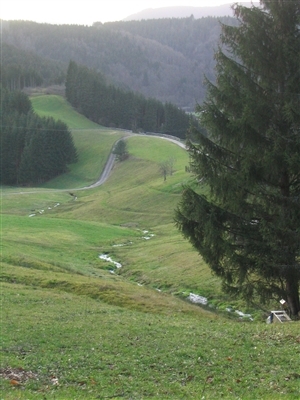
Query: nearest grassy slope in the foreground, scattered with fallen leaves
[{"x": 59, "y": 344}]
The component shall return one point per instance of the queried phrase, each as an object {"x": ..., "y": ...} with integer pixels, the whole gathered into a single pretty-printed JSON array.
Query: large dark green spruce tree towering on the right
[{"x": 247, "y": 227}]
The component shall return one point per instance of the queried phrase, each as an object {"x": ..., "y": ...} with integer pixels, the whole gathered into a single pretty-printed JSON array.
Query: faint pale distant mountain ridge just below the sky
[{"x": 186, "y": 11}]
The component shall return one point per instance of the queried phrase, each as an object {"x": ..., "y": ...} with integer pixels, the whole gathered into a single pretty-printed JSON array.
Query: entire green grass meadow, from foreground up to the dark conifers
[{"x": 74, "y": 326}]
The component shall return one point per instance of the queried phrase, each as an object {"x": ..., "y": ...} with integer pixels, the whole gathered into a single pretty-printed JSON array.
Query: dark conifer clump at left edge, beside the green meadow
[{"x": 33, "y": 149}]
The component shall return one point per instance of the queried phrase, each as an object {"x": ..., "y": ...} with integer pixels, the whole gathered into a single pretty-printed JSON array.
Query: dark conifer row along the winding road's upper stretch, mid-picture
[{"x": 102, "y": 102}]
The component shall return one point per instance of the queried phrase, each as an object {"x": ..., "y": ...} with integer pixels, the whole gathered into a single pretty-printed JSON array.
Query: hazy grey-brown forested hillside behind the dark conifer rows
[{"x": 165, "y": 59}]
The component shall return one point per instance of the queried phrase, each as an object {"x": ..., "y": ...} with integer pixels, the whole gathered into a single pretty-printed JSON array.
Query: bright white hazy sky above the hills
[{"x": 85, "y": 12}]
